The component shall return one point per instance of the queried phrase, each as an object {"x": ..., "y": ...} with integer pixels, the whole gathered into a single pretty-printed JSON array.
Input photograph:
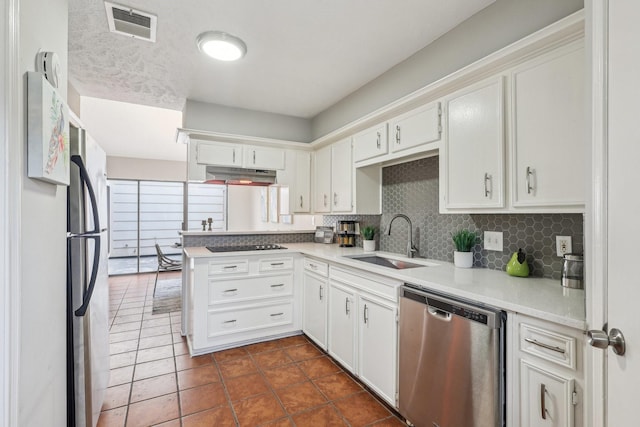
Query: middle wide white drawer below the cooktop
[{"x": 226, "y": 291}]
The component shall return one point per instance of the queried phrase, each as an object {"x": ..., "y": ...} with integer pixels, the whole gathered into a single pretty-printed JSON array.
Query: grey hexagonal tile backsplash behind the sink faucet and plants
[{"x": 412, "y": 189}]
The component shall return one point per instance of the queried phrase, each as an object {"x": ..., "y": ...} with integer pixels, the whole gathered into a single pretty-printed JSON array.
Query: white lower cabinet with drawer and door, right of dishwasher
[{"x": 547, "y": 374}]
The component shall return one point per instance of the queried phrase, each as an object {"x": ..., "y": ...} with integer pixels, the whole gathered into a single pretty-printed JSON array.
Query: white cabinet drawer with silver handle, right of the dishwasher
[{"x": 552, "y": 346}]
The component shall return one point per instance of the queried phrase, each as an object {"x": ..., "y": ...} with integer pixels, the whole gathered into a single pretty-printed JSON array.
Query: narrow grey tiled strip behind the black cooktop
[{"x": 246, "y": 239}]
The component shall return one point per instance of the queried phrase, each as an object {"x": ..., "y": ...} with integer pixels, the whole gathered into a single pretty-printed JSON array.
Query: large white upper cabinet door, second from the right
[{"x": 474, "y": 147}]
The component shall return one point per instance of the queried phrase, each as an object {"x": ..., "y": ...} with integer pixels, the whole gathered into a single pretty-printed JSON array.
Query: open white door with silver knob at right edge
[{"x": 622, "y": 225}]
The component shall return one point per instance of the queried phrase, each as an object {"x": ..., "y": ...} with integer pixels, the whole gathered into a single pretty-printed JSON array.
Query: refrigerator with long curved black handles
[{"x": 87, "y": 281}]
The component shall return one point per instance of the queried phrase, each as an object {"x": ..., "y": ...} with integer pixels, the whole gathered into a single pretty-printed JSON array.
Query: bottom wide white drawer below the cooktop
[{"x": 248, "y": 318}]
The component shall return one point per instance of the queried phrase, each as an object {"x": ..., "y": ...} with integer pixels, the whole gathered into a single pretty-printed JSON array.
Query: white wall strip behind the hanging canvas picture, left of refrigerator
[{"x": 42, "y": 234}]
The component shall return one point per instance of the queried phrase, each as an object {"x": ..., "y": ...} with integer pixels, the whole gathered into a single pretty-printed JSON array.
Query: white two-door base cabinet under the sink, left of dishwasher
[{"x": 363, "y": 328}]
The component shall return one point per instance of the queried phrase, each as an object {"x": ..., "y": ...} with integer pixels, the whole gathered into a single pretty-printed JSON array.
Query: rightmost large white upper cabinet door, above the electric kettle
[{"x": 549, "y": 151}]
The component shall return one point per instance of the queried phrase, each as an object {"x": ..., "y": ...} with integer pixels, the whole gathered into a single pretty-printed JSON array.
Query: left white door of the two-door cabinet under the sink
[{"x": 342, "y": 326}]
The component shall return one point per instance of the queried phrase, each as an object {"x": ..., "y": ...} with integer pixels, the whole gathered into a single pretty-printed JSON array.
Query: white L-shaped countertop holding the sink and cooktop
[{"x": 537, "y": 297}]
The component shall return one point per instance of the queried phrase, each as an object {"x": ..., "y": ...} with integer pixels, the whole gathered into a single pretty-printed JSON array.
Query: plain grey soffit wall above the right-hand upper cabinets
[{"x": 494, "y": 27}]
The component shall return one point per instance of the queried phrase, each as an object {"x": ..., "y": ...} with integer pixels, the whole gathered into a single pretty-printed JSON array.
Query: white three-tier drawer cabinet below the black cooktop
[{"x": 233, "y": 300}]
